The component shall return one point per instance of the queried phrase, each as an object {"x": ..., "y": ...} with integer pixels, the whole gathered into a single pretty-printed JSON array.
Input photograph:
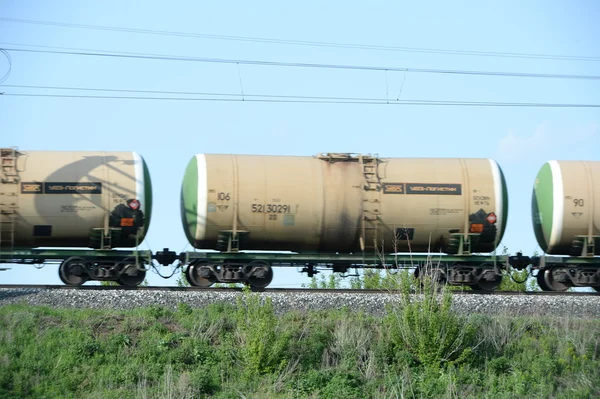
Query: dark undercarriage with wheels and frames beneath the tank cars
[{"x": 203, "y": 270}]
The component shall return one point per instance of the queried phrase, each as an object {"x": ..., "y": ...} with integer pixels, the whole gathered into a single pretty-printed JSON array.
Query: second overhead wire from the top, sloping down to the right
[{"x": 142, "y": 56}]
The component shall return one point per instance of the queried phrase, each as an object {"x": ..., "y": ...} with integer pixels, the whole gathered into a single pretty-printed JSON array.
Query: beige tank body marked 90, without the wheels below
[{"x": 566, "y": 206}]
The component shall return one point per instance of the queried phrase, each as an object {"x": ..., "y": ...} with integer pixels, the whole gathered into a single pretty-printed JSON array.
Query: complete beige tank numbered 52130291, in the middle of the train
[{"x": 343, "y": 203}]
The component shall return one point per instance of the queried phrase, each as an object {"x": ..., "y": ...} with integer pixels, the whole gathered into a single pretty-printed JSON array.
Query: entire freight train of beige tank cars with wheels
[{"x": 340, "y": 211}]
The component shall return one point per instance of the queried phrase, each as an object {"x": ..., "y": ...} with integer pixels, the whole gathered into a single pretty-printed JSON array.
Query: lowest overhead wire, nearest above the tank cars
[{"x": 316, "y": 101}]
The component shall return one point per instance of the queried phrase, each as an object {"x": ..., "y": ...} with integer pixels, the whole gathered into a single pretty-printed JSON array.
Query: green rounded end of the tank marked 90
[{"x": 542, "y": 206}]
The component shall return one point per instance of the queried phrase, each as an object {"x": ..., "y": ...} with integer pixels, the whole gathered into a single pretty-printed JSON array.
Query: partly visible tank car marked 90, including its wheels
[{"x": 565, "y": 213}]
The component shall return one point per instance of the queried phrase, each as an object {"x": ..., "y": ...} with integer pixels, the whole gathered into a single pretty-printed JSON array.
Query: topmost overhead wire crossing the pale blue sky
[{"x": 308, "y": 42}]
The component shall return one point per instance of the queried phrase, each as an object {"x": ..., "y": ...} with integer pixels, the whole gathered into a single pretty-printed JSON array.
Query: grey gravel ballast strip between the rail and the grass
[{"x": 514, "y": 305}]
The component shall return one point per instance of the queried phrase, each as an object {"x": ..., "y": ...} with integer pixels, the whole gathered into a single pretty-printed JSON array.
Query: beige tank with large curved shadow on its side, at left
[{"x": 73, "y": 199}]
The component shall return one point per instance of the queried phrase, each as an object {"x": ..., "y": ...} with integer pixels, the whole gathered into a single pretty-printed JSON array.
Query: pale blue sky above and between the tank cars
[{"x": 168, "y": 133}]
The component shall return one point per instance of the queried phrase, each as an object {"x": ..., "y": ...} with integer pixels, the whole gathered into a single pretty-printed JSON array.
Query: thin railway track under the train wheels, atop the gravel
[{"x": 282, "y": 290}]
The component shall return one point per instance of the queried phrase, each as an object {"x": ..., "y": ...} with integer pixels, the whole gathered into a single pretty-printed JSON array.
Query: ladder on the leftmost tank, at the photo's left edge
[{"x": 9, "y": 181}]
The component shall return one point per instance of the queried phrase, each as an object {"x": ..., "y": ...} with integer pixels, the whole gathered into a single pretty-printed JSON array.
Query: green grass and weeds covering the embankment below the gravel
[{"x": 420, "y": 348}]
